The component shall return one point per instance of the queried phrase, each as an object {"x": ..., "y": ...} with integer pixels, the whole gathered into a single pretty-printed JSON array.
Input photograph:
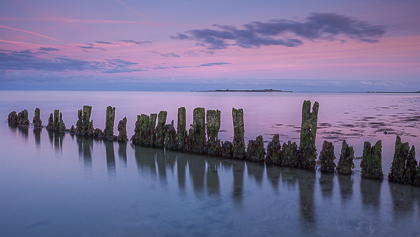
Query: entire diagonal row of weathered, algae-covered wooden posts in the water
[{"x": 404, "y": 168}]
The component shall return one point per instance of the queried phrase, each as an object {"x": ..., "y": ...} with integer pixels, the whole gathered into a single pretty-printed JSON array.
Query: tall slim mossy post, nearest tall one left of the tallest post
[{"x": 238, "y": 131}]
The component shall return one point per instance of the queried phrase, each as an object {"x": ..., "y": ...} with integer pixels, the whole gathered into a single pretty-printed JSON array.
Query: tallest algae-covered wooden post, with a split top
[{"x": 307, "y": 149}]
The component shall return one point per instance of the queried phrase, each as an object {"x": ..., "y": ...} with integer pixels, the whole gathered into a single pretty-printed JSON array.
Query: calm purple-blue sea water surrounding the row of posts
[{"x": 67, "y": 186}]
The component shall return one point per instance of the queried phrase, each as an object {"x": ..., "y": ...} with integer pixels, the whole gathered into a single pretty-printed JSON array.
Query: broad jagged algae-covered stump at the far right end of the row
[{"x": 404, "y": 164}]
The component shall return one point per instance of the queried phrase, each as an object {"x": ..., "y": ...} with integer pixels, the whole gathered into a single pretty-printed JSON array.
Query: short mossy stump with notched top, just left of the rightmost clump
[{"x": 372, "y": 161}]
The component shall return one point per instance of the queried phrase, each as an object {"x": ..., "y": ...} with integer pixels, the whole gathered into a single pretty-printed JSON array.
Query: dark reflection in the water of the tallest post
[{"x": 306, "y": 184}]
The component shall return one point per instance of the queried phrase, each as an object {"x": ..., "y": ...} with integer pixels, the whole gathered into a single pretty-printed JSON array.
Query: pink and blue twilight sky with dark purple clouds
[{"x": 183, "y": 45}]
